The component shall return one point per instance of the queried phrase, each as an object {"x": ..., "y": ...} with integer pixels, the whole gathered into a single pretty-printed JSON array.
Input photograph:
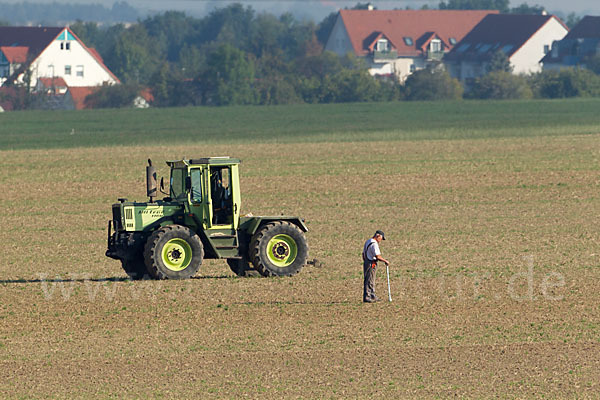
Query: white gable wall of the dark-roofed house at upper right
[{"x": 527, "y": 59}]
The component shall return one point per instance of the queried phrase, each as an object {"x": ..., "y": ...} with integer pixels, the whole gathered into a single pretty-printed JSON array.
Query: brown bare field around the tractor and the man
[{"x": 494, "y": 273}]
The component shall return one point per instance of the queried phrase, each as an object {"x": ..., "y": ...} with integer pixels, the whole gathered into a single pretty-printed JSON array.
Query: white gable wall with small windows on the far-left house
[{"x": 53, "y": 60}]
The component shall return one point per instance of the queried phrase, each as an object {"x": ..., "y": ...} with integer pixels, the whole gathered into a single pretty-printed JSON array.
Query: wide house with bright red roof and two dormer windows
[{"x": 399, "y": 42}]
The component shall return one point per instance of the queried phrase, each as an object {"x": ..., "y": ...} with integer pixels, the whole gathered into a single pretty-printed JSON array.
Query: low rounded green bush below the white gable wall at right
[{"x": 500, "y": 85}]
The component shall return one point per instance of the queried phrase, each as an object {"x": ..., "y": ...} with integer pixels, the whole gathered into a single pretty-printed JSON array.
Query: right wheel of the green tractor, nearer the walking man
[{"x": 265, "y": 241}]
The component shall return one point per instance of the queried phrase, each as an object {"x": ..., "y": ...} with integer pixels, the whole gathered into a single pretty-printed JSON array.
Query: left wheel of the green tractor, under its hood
[{"x": 173, "y": 252}]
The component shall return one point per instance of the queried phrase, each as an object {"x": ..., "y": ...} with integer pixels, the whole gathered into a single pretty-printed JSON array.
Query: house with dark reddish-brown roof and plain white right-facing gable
[{"x": 524, "y": 39}]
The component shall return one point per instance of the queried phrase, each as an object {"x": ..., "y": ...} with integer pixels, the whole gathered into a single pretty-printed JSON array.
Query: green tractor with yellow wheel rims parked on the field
[{"x": 200, "y": 218}]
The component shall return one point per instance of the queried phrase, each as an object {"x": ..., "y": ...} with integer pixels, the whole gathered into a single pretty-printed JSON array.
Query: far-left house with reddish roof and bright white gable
[{"x": 48, "y": 52}]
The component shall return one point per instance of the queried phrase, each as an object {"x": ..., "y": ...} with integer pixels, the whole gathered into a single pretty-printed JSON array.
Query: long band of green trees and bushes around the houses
[{"x": 235, "y": 55}]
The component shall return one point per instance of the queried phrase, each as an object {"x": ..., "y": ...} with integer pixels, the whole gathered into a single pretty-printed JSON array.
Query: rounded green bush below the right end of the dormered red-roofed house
[{"x": 432, "y": 84}]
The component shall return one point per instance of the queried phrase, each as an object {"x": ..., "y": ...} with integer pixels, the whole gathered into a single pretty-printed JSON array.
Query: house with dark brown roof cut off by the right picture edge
[{"x": 581, "y": 42}]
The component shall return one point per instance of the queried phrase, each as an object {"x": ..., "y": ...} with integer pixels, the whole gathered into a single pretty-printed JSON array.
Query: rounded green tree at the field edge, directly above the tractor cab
[{"x": 228, "y": 78}]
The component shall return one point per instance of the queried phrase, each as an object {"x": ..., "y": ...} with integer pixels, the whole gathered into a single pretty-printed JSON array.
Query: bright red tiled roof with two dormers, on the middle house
[{"x": 414, "y": 24}]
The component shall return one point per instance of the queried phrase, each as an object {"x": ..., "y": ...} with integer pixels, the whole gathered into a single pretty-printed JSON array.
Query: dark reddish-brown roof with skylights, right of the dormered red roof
[{"x": 508, "y": 32}]
